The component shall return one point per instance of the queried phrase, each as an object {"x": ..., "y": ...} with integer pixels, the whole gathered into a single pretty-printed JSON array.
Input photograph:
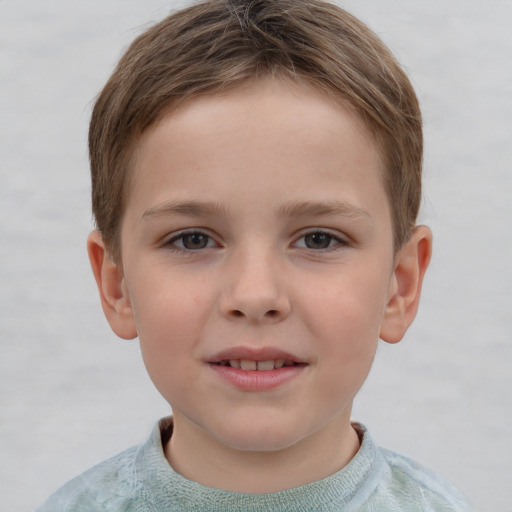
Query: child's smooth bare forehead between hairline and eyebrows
[{"x": 269, "y": 129}]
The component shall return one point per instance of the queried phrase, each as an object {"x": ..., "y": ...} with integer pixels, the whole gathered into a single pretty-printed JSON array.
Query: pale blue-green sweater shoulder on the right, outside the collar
[{"x": 419, "y": 485}]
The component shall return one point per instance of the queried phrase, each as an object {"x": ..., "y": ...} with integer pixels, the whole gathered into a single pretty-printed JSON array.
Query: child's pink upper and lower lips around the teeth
[{"x": 254, "y": 380}]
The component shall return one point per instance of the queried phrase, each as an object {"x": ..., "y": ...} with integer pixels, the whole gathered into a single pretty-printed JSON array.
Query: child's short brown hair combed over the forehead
[{"x": 216, "y": 44}]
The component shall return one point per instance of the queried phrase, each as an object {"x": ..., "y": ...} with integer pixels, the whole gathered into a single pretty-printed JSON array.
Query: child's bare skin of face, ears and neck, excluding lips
[{"x": 292, "y": 250}]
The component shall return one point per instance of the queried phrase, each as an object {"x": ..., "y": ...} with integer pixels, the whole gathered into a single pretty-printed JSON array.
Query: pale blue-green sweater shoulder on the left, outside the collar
[{"x": 106, "y": 487}]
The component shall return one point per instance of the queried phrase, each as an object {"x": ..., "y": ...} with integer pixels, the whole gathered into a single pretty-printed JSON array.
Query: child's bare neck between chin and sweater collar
[{"x": 198, "y": 457}]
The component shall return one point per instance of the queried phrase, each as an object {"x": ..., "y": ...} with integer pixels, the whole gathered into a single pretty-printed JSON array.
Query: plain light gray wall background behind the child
[{"x": 71, "y": 394}]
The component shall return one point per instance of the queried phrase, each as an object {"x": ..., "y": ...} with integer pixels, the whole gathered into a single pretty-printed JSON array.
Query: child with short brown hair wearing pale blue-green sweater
[{"x": 256, "y": 172}]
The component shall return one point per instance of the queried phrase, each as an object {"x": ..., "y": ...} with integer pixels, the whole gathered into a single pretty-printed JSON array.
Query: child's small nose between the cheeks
[{"x": 255, "y": 290}]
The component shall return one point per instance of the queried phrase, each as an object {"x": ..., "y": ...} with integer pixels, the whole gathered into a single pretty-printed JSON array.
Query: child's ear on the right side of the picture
[{"x": 405, "y": 288}]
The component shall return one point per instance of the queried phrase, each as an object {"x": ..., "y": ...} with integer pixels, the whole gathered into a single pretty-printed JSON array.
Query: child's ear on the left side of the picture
[{"x": 111, "y": 285}]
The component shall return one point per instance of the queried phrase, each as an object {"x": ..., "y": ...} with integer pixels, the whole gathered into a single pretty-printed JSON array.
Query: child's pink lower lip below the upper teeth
[{"x": 254, "y": 380}]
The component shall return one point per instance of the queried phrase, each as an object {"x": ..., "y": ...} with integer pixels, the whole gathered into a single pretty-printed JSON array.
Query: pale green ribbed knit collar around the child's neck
[{"x": 157, "y": 482}]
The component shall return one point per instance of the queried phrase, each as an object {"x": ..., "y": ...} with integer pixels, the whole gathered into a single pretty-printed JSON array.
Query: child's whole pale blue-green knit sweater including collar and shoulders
[{"x": 141, "y": 480}]
